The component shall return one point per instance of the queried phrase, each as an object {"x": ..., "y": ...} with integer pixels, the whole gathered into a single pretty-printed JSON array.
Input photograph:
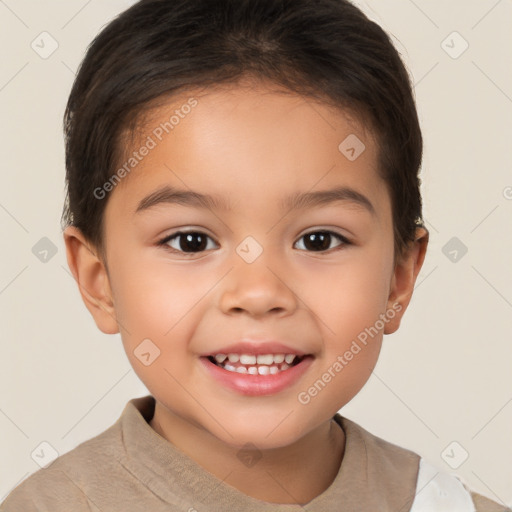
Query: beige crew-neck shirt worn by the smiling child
[{"x": 131, "y": 468}]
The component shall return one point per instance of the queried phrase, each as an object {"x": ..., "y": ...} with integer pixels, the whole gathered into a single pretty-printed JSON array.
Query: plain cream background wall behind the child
[{"x": 443, "y": 384}]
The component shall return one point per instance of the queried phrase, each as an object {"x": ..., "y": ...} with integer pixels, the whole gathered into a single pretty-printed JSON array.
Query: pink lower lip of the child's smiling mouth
[{"x": 257, "y": 385}]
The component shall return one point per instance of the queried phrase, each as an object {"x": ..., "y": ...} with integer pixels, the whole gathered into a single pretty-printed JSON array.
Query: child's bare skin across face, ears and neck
[{"x": 252, "y": 145}]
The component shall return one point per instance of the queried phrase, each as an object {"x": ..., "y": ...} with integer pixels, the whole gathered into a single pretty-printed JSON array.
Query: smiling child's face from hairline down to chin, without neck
[{"x": 256, "y": 276}]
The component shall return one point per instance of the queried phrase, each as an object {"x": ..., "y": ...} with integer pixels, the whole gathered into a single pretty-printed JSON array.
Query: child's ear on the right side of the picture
[{"x": 405, "y": 273}]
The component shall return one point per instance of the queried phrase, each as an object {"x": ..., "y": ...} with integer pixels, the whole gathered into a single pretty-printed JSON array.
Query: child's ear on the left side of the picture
[{"x": 92, "y": 278}]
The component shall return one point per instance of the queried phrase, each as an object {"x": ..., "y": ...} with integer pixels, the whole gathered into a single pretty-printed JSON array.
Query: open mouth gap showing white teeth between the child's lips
[{"x": 264, "y": 364}]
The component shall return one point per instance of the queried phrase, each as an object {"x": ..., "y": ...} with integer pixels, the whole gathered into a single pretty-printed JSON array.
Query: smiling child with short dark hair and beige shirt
[{"x": 260, "y": 130}]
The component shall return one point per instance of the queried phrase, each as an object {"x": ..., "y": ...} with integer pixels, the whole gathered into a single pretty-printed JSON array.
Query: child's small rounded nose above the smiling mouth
[{"x": 257, "y": 289}]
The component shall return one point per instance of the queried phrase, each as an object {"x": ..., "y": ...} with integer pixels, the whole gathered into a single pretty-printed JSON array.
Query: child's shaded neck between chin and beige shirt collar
[{"x": 293, "y": 474}]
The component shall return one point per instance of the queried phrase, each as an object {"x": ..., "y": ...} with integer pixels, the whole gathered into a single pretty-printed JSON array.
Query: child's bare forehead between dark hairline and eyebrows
[{"x": 238, "y": 141}]
